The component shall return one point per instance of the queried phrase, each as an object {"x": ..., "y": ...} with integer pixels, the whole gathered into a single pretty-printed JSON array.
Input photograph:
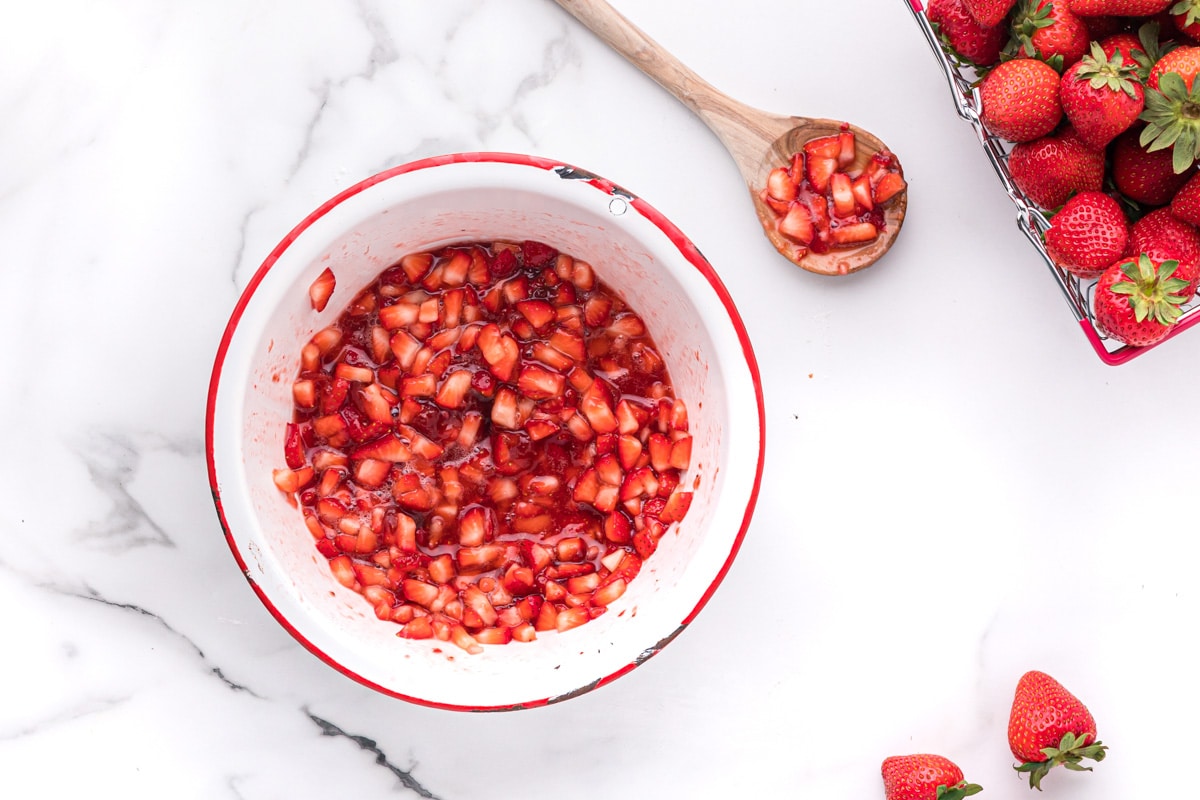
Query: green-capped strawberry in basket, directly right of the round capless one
[{"x": 1101, "y": 97}]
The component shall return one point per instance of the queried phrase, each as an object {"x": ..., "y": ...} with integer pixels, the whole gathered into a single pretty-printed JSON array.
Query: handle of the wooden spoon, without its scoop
[{"x": 725, "y": 117}]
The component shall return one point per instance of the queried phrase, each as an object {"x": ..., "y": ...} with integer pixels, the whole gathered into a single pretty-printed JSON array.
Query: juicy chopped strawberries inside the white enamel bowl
[{"x": 487, "y": 444}]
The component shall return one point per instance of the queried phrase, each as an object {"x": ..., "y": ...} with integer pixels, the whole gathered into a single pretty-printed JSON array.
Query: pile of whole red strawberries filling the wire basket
[{"x": 1097, "y": 98}]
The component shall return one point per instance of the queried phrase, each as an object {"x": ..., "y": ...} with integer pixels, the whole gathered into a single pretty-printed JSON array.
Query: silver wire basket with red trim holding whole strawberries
[{"x": 1030, "y": 219}]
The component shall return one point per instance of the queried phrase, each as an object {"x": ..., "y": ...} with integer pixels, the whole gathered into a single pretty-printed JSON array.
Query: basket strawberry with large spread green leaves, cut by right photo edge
[{"x": 1173, "y": 109}]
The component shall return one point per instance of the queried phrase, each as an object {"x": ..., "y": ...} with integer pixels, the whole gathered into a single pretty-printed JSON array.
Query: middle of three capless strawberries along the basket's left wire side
[{"x": 1053, "y": 169}]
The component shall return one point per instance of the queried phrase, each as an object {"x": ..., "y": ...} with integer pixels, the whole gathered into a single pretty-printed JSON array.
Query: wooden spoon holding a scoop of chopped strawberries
[{"x": 758, "y": 141}]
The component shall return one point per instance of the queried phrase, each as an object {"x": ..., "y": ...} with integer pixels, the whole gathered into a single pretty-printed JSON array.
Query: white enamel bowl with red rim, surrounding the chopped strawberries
[{"x": 368, "y": 230}]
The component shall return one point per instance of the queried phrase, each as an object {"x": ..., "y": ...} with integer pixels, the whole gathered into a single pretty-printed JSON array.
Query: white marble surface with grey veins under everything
[{"x": 957, "y": 489}]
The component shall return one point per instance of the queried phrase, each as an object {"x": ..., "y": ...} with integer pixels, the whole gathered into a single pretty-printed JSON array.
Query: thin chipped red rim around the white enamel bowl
[{"x": 677, "y": 238}]
